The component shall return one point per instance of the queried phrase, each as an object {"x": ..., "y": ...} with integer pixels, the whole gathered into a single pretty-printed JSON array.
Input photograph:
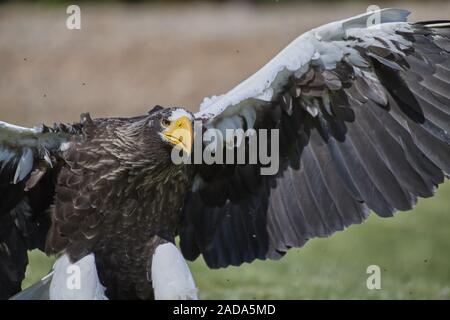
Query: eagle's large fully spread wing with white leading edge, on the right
[{"x": 364, "y": 118}]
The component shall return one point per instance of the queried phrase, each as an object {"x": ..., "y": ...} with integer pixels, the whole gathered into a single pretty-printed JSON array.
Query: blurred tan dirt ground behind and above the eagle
[{"x": 125, "y": 59}]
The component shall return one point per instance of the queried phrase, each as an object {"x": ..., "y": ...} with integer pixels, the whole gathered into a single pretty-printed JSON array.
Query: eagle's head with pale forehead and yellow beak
[{"x": 175, "y": 127}]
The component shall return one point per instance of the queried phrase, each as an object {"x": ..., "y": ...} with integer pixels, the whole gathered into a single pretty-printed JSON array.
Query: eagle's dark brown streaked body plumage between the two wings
[{"x": 116, "y": 195}]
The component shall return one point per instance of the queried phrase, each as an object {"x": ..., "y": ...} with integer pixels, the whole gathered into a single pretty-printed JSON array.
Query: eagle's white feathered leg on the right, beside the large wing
[{"x": 170, "y": 274}]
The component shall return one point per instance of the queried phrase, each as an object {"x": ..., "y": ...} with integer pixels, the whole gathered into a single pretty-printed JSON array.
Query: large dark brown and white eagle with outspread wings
[{"x": 362, "y": 112}]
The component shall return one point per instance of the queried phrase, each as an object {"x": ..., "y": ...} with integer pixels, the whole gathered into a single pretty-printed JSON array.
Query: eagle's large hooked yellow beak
[{"x": 180, "y": 134}]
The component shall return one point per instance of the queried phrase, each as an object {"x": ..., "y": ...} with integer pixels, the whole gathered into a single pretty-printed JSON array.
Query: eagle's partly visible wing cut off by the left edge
[{"x": 28, "y": 167}]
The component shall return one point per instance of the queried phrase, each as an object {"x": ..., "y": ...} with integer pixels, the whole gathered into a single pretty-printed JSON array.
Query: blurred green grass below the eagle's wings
[{"x": 412, "y": 250}]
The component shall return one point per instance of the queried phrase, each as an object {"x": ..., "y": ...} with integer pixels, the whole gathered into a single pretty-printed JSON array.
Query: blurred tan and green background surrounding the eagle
[{"x": 131, "y": 55}]
